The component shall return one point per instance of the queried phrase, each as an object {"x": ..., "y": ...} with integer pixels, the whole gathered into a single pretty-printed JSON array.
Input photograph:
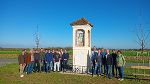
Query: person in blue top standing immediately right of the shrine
[{"x": 93, "y": 59}]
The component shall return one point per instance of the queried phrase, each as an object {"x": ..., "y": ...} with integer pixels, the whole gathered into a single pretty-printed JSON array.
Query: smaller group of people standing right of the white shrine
[{"x": 106, "y": 64}]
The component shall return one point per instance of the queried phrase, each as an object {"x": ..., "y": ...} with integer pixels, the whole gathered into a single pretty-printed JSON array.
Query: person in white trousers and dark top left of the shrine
[{"x": 56, "y": 60}]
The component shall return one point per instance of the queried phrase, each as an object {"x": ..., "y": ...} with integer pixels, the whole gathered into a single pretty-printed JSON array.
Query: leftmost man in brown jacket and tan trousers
[{"x": 21, "y": 63}]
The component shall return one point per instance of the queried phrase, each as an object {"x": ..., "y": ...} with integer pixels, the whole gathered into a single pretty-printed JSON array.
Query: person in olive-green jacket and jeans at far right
[{"x": 120, "y": 65}]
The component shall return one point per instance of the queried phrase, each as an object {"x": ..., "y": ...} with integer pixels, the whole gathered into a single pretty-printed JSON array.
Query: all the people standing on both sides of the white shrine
[{"x": 103, "y": 63}]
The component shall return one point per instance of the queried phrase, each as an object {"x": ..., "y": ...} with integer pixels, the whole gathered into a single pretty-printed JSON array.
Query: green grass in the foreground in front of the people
[{"x": 9, "y": 75}]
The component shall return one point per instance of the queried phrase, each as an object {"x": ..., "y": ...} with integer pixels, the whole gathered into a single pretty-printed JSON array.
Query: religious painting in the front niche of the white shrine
[{"x": 80, "y": 37}]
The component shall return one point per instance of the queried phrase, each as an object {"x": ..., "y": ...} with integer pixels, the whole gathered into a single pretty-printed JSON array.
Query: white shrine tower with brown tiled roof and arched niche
[{"x": 81, "y": 45}]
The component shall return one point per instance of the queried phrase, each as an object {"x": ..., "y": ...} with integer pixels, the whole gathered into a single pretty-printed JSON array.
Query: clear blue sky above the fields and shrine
[{"x": 114, "y": 22}]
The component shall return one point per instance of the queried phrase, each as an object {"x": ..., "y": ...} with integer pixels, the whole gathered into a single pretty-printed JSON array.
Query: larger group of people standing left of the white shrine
[{"x": 43, "y": 60}]
